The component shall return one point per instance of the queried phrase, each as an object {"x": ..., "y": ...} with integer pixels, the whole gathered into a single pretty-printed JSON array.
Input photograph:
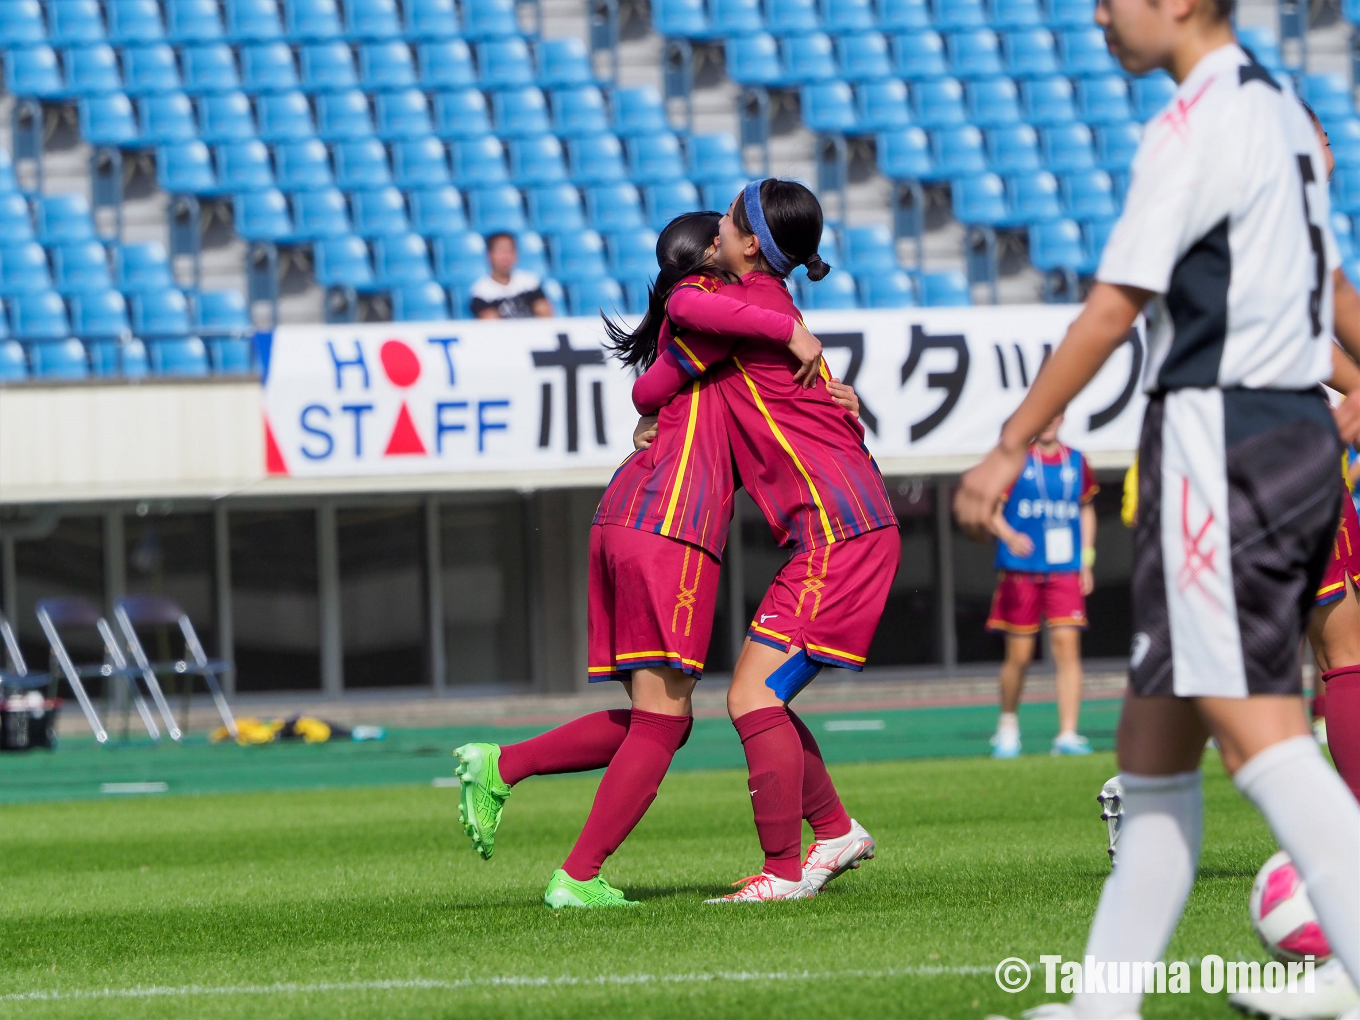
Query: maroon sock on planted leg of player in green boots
[{"x": 628, "y": 789}]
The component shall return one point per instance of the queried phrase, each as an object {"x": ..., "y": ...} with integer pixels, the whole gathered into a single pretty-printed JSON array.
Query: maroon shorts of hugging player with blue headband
[{"x": 829, "y": 602}]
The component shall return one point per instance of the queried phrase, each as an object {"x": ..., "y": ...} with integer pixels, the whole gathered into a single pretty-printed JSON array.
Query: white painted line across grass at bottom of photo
[{"x": 508, "y": 981}]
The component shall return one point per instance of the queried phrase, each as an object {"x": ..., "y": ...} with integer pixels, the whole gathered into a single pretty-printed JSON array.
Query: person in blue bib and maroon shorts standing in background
[{"x": 1047, "y": 561}]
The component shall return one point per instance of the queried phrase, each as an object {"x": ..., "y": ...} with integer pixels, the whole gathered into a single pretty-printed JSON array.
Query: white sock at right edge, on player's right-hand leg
[{"x": 1317, "y": 821}]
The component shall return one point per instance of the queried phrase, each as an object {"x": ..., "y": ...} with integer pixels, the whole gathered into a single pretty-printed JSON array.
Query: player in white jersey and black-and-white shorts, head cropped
[{"x": 1226, "y": 241}]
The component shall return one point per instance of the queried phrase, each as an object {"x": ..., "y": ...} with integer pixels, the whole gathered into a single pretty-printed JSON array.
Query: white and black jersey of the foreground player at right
[{"x": 1227, "y": 222}]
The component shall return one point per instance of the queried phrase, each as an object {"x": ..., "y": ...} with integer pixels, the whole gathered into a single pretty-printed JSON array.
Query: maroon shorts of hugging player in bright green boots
[{"x": 652, "y": 603}]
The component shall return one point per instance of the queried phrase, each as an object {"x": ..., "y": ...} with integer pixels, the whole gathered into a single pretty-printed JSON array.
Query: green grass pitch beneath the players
[{"x": 368, "y": 902}]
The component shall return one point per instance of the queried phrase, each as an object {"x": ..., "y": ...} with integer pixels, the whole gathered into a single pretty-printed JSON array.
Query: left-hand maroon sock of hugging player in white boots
[{"x": 775, "y": 762}]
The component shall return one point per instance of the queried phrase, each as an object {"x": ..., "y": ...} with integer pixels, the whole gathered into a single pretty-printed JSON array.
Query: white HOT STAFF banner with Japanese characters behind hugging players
[{"x": 475, "y": 396}]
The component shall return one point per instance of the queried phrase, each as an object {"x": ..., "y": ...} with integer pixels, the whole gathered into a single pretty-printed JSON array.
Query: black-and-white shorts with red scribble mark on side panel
[{"x": 1238, "y": 496}]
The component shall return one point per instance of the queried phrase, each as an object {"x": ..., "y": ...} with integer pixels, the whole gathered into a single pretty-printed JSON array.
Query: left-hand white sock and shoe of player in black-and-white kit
[{"x": 1142, "y": 904}]
